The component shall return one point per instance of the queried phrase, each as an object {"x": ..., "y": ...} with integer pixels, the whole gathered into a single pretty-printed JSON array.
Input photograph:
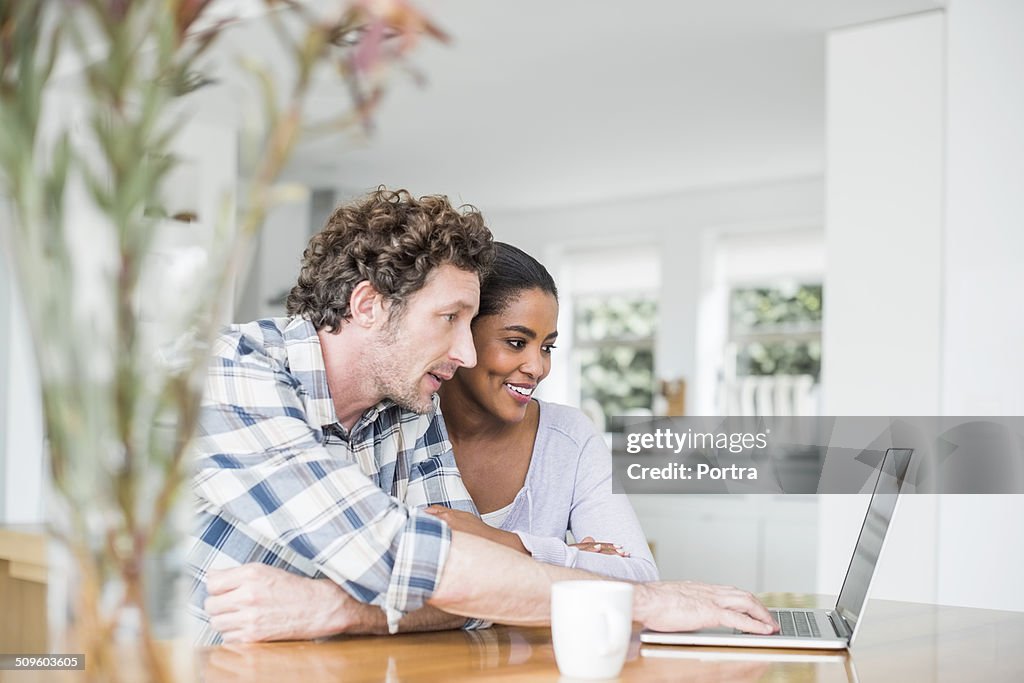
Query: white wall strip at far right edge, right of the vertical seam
[{"x": 984, "y": 326}]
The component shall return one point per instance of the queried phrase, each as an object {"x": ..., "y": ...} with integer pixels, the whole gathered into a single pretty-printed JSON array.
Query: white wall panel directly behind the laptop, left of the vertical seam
[{"x": 882, "y": 305}]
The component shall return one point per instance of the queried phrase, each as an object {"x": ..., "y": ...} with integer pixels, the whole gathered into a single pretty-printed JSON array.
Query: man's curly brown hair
[{"x": 395, "y": 242}]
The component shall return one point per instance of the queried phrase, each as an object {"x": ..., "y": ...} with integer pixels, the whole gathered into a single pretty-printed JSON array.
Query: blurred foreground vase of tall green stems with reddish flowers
[{"x": 88, "y": 219}]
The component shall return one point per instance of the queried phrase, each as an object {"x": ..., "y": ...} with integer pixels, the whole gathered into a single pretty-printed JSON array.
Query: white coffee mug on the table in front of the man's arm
[{"x": 591, "y": 627}]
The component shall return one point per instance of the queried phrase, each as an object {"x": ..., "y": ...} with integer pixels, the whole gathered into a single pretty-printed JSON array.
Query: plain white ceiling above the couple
[{"x": 557, "y": 103}]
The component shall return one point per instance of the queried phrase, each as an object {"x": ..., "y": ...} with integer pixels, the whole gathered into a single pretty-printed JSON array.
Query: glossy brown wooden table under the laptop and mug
[{"x": 901, "y": 643}]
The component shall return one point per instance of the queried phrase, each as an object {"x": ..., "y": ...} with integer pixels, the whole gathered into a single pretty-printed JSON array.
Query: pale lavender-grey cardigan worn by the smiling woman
[{"x": 569, "y": 487}]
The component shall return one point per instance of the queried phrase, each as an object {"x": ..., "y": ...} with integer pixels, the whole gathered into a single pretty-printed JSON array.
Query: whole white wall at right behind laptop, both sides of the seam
[{"x": 923, "y": 225}]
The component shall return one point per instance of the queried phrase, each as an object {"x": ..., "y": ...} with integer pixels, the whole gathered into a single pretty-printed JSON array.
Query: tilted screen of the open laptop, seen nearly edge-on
[{"x": 873, "y": 534}]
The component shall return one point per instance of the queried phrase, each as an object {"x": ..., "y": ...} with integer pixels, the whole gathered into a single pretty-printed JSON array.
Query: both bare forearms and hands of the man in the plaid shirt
[{"x": 257, "y": 603}]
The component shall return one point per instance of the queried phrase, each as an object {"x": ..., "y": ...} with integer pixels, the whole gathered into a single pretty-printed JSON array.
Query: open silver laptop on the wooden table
[{"x": 823, "y": 629}]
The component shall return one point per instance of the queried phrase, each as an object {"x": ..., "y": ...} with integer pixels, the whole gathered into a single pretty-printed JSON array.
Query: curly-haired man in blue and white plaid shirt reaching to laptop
[{"x": 321, "y": 442}]
